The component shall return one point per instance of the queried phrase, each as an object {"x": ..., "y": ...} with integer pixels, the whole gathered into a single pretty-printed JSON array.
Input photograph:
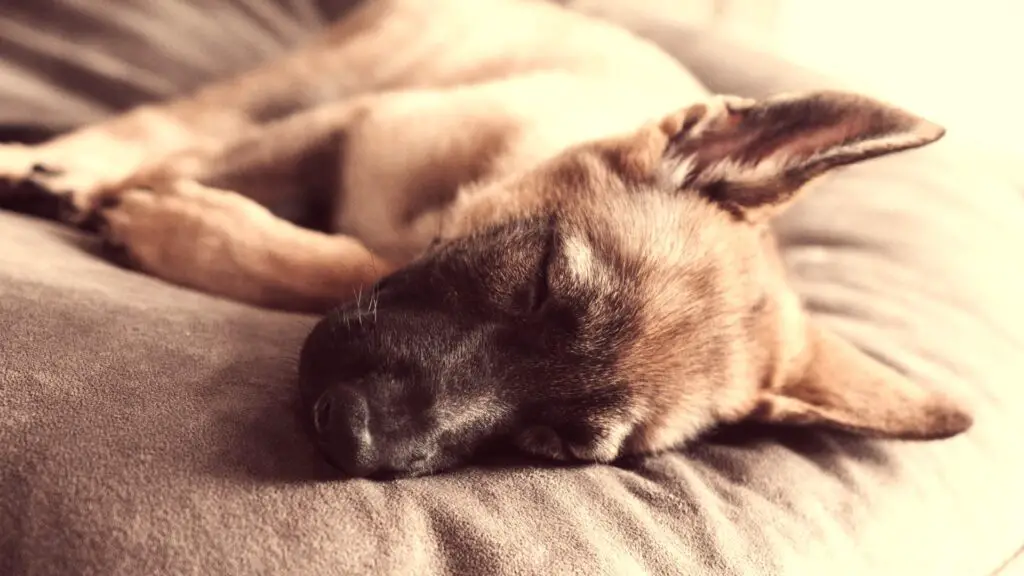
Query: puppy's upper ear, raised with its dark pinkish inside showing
[{"x": 753, "y": 156}]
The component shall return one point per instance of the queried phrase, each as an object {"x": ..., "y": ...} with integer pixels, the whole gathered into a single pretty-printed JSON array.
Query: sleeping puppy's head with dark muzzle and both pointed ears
[{"x": 619, "y": 300}]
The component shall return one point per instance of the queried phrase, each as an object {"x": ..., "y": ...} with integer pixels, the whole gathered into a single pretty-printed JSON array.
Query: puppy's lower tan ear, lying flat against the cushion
[{"x": 844, "y": 389}]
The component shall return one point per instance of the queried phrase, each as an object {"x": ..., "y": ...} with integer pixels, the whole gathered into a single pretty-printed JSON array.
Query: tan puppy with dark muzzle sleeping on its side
[{"x": 537, "y": 227}]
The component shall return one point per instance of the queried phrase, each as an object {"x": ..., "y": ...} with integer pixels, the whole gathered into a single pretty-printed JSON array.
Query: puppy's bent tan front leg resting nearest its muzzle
[{"x": 225, "y": 244}]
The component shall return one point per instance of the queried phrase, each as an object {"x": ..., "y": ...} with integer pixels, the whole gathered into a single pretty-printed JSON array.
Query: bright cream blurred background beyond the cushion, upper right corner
[{"x": 956, "y": 62}]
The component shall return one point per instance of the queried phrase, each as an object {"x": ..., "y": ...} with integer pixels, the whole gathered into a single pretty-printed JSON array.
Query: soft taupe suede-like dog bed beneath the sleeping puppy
[{"x": 150, "y": 430}]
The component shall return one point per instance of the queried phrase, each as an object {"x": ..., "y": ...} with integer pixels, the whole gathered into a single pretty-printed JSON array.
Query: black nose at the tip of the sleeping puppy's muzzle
[{"x": 342, "y": 421}]
